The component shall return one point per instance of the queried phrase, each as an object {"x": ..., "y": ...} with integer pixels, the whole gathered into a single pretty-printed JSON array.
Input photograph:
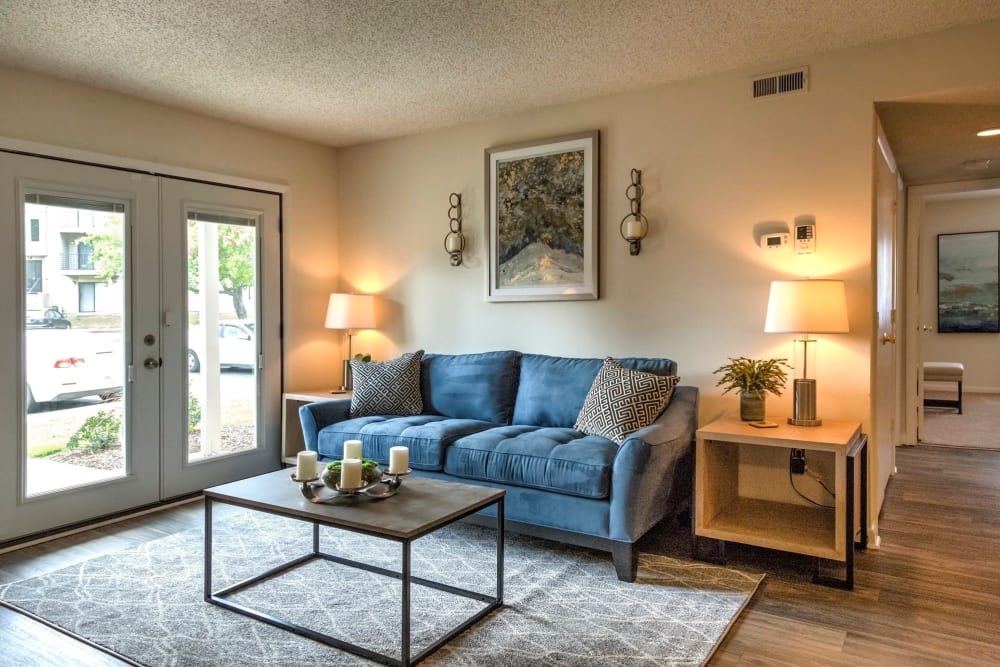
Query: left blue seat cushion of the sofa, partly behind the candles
[{"x": 427, "y": 436}]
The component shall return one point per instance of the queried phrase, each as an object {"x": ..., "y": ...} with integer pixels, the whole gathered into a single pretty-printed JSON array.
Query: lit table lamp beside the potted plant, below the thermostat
[{"x": 806, "y": 307}]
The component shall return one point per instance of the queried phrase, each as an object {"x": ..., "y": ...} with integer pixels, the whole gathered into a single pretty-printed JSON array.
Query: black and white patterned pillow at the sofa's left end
[{"x": 387, "y": 387}]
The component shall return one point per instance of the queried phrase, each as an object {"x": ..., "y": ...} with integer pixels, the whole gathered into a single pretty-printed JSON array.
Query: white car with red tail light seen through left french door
[{"x": 63, "y": 364}]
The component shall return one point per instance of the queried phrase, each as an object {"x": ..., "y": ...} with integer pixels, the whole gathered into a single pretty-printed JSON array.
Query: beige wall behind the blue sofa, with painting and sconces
[{"x": 715, "y": 163}]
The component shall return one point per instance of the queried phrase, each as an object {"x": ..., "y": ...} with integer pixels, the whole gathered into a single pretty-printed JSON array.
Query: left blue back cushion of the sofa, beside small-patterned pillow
[{"x": 470, "y": 386}]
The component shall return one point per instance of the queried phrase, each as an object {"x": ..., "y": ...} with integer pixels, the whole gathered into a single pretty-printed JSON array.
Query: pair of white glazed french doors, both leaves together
[{"x": 111, "y": 280}]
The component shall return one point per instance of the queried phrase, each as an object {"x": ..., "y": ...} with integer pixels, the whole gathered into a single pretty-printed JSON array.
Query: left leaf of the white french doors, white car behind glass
[{"x": 68, "y": 395}]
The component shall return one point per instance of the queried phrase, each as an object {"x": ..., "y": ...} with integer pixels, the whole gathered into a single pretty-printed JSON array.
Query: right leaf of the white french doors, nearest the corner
[{"x": 221, "y": 317}]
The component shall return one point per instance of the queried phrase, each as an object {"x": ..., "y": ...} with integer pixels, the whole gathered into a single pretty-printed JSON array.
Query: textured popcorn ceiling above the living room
[{"x": 343, "y": 72}]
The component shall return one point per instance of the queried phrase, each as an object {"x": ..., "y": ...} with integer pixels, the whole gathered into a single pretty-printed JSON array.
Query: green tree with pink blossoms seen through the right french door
[{"x": 237, "y": 246}]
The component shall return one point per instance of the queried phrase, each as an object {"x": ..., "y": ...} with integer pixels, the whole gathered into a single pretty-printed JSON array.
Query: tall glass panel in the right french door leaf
[{"x": 222, "y": 339}]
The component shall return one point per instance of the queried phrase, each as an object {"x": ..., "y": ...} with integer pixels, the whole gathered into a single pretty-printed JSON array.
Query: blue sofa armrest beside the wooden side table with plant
[{"x": 653, "y": 471}]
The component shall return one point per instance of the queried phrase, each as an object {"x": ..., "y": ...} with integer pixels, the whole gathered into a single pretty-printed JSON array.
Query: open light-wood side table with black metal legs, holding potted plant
[{"x": 721, "y": 513}]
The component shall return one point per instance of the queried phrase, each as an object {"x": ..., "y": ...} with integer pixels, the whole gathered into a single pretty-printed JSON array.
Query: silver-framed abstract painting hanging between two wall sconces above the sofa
[{"x": 541, "y": 219}]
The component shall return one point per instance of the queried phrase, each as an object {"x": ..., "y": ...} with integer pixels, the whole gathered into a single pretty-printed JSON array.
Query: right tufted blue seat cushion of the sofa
[{"x": 551, "y": 459}]
